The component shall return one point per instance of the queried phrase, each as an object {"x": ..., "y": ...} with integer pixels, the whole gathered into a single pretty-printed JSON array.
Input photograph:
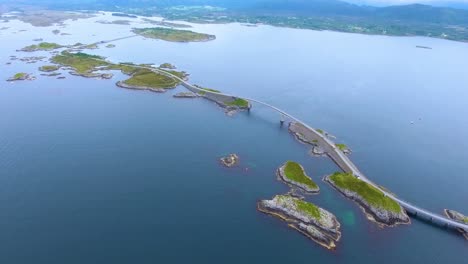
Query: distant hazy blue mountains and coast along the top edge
[{"x": 404, "y": 20}]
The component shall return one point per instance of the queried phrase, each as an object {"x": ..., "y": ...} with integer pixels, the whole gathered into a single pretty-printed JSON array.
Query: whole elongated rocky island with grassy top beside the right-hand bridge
[{"x": 376, "y": 205}]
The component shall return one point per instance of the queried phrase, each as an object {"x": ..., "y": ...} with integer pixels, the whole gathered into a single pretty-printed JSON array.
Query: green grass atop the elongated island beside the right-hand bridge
[{"x": 369, "y": 193}]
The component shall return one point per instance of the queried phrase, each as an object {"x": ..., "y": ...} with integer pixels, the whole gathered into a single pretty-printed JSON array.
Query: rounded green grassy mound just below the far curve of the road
[{"x": 148, "y": 78}]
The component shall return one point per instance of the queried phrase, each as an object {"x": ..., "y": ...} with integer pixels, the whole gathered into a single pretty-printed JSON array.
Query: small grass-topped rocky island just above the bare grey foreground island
[{"x": 293, "y": 174}]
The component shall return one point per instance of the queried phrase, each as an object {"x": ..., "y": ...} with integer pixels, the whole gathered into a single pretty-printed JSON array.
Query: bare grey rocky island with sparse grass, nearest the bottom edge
[{"x": 312, "y": 221}]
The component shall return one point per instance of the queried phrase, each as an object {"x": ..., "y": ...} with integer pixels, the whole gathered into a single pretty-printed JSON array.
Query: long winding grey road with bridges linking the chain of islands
[{"x": 330, "y": 148}]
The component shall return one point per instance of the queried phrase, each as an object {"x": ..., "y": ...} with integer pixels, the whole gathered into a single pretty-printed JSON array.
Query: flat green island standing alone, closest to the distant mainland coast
[{"x": 173, "y": 35}]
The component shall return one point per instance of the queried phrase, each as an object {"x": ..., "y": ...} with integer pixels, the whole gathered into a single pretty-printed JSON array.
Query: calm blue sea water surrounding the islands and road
[{"x": 91, "y": 173}]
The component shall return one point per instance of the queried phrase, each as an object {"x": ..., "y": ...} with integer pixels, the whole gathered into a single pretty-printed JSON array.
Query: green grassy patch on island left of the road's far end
[{"x": 81, "y": 62}]
